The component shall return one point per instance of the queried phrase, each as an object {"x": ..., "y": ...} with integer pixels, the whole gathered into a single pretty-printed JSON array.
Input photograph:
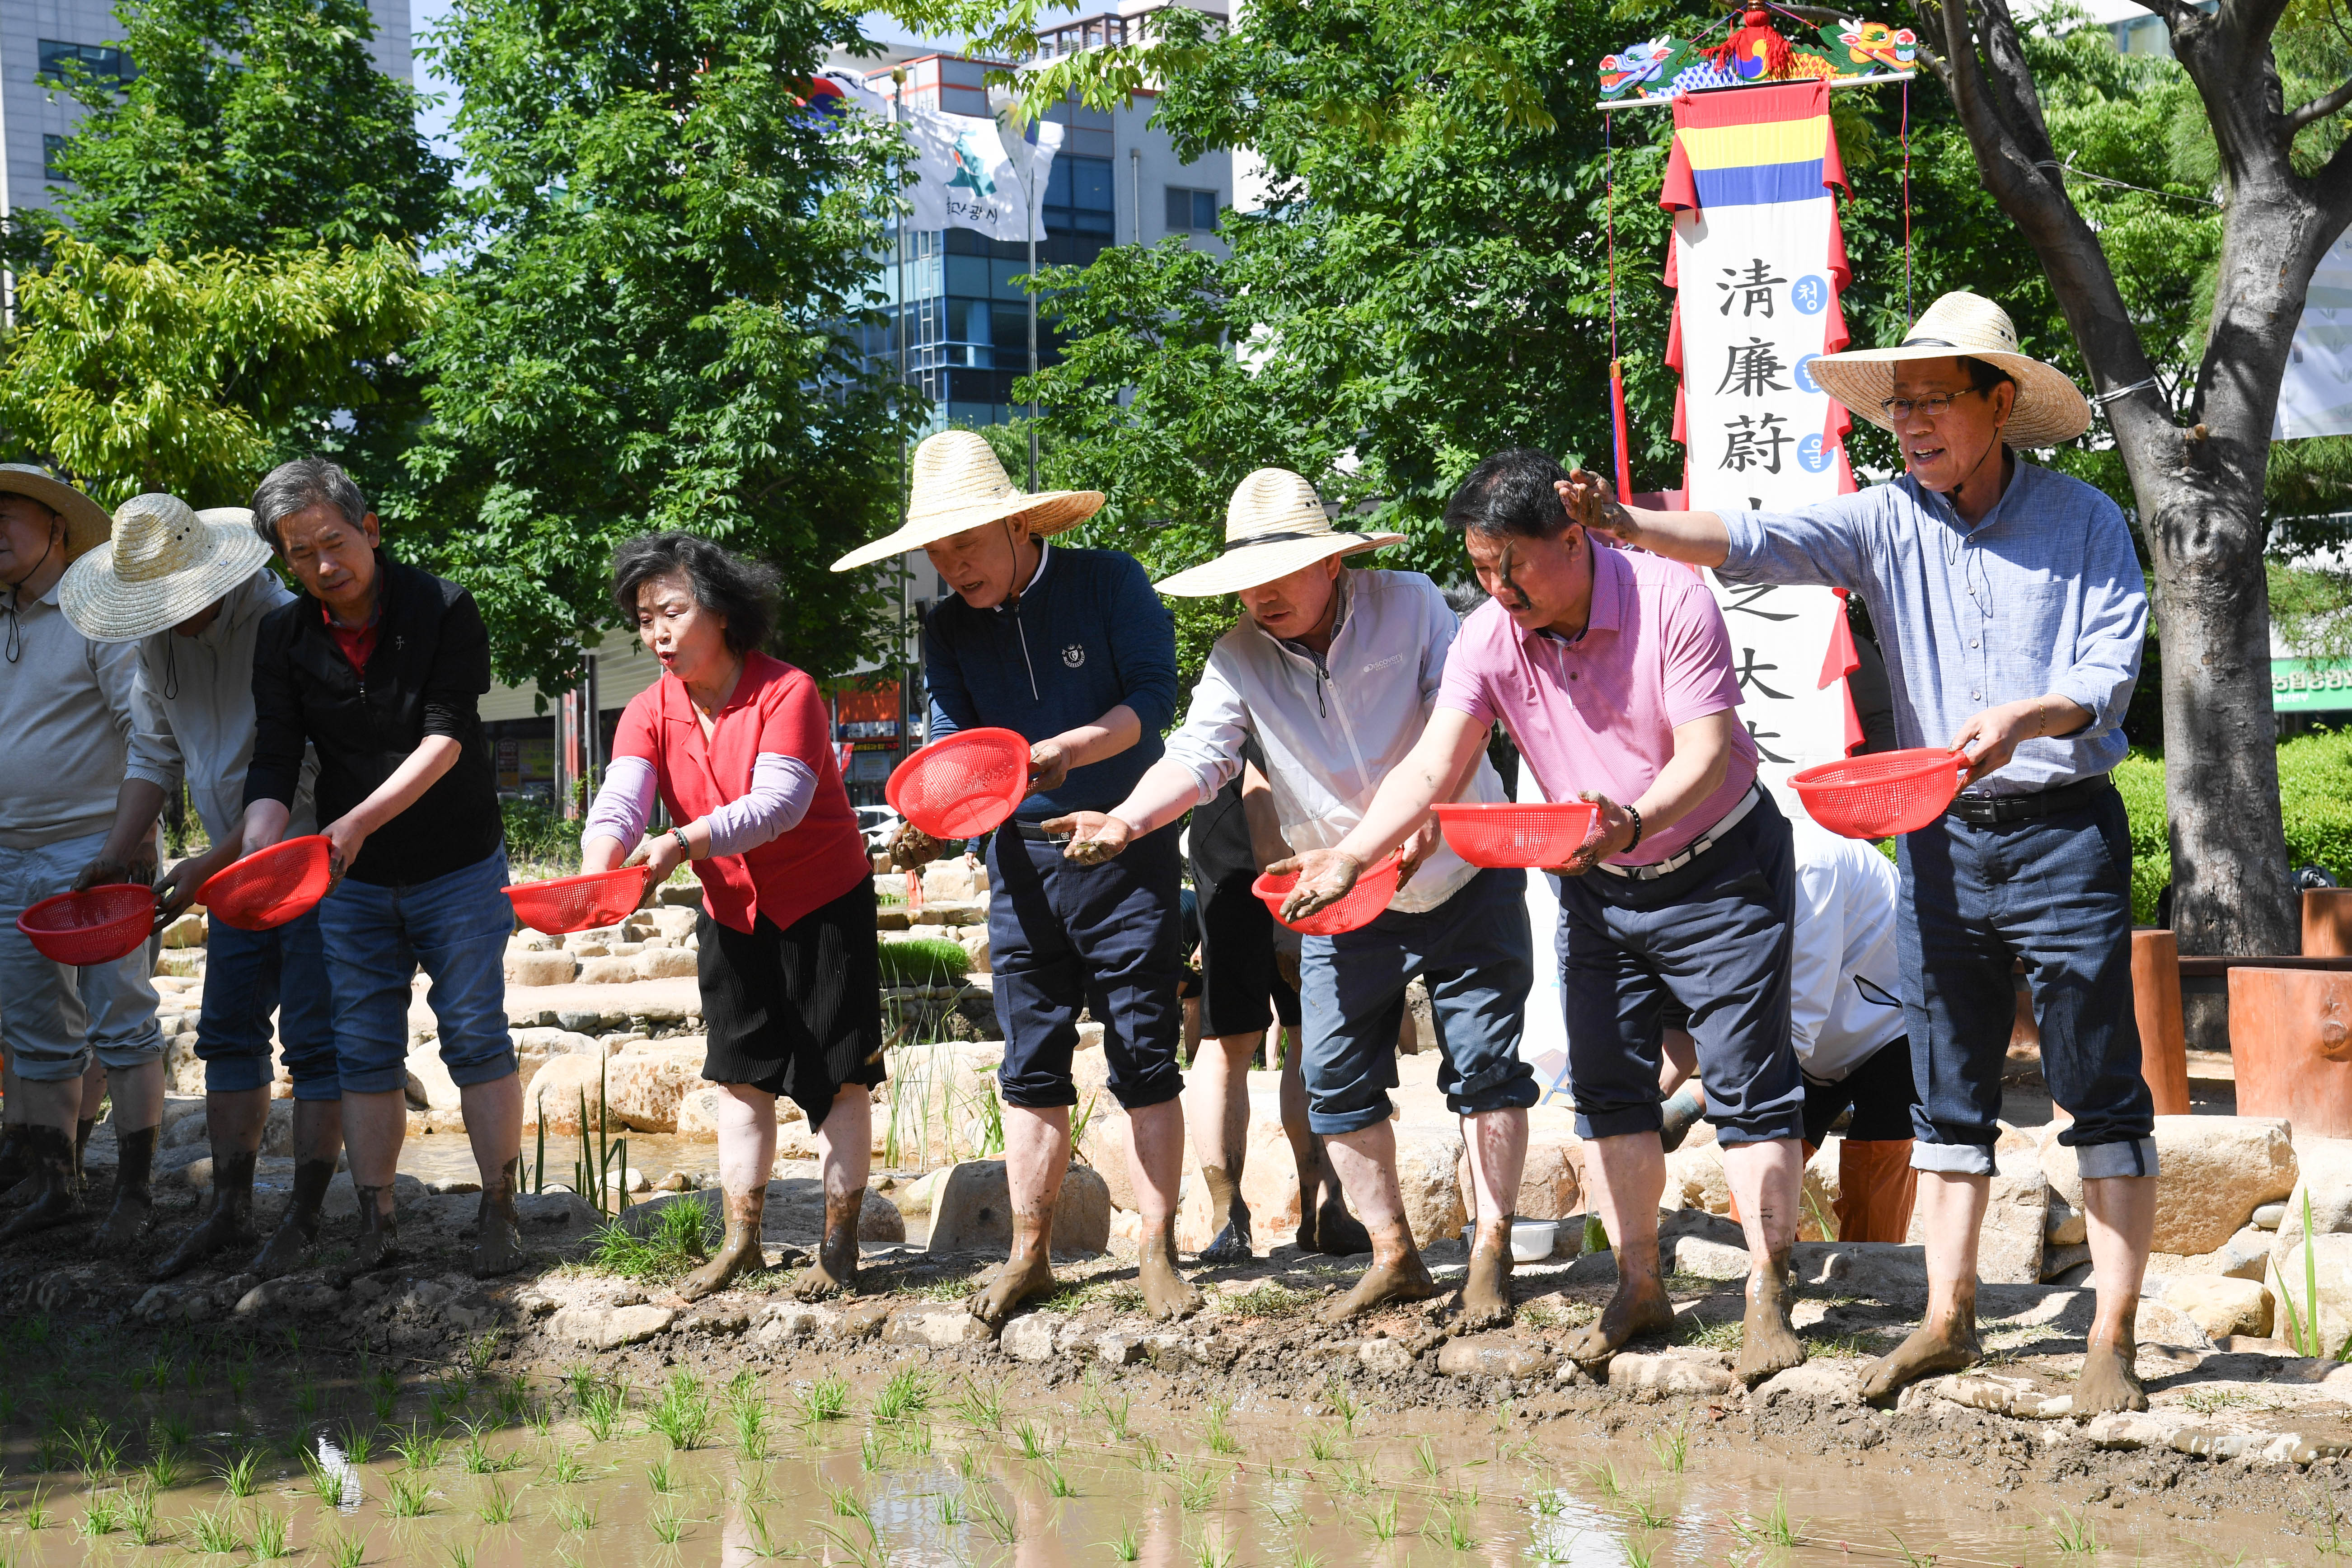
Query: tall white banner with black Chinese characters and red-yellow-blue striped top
[{"x": 1758, "y": 264}]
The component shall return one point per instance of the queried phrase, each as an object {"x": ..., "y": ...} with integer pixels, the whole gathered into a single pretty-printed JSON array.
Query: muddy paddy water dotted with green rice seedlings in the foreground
[{"x": 138, "y": 1463}]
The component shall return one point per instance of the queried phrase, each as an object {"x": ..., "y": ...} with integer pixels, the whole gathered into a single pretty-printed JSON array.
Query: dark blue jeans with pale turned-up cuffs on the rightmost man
[{"x": 2054, "y": 892}]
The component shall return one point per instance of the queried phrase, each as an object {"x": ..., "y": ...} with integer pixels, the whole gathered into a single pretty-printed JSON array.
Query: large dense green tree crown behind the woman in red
[{"x": 650, "y": 326}]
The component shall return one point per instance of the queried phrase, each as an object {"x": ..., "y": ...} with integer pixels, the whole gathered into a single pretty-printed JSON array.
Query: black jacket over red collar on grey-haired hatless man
[{"x": 425, "y": 678}]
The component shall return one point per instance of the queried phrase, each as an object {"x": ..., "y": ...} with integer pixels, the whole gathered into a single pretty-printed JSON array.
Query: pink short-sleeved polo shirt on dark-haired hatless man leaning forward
[{"x": 1598, "y": 711}]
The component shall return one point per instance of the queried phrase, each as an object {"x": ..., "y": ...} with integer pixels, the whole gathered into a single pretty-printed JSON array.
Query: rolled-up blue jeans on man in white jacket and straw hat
[{"x": 1478, "y": 960}]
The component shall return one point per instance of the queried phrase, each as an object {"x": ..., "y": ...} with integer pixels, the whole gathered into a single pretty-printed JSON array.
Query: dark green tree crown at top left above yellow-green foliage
[{"x": 255, "y": 126}]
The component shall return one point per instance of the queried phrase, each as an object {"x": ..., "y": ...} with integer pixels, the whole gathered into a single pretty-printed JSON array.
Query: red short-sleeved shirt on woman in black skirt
[{"x": 775, "y": 709}]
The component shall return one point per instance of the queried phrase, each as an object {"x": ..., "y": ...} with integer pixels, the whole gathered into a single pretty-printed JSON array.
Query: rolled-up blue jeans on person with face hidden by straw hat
[{"x": 253, "y": 974}]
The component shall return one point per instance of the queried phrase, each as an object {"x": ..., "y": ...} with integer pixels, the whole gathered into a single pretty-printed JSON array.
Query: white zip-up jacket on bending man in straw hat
[{"x": 1335, "y": 725}]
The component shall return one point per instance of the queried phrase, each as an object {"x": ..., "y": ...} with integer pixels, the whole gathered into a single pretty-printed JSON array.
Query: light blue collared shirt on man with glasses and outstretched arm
[{"x": 2040, "y": 596}]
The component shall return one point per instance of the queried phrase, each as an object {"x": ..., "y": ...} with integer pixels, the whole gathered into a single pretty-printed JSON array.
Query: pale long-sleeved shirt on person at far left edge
[{"x": 74, "y": 730}]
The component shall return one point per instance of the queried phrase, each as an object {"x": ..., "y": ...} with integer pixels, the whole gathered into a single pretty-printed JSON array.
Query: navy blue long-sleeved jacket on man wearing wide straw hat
[{"x": 1085, "y": 636}]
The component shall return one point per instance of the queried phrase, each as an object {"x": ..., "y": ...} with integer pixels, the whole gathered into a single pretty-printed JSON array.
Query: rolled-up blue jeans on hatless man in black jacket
[{"x": 377, "y": 937}]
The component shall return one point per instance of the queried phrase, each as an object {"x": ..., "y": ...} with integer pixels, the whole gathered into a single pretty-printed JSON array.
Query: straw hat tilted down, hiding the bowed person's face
[{"x": 163, "y": 565}]
